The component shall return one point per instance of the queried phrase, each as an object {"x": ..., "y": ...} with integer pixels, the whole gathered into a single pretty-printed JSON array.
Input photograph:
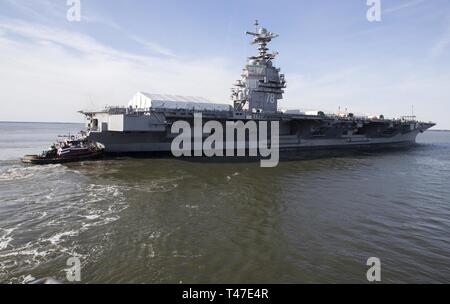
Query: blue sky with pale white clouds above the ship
[{"x": 332, "y": 56}]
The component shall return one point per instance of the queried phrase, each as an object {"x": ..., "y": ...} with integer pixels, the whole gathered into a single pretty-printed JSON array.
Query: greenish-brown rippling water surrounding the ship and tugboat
[{"x": 170, "y": 221}]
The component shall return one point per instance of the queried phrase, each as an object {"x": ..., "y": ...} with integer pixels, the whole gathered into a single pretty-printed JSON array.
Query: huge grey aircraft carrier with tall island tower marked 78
[{"x": 145, "y": 125}]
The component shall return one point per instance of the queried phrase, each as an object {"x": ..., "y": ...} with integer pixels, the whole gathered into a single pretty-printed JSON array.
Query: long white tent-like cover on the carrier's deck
[{"x": 145, "y": 101}]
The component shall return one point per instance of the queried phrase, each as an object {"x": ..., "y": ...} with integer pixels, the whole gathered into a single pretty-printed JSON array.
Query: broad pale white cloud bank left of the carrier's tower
[{"x": 49, "y": 74}]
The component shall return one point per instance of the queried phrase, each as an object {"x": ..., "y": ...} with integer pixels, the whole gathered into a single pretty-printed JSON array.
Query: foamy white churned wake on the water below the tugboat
[{"x": 51, "y": 223}]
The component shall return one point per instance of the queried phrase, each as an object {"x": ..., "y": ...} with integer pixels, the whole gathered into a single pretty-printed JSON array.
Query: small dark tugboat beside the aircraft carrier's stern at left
[{"x": 71, "y": 149}]
